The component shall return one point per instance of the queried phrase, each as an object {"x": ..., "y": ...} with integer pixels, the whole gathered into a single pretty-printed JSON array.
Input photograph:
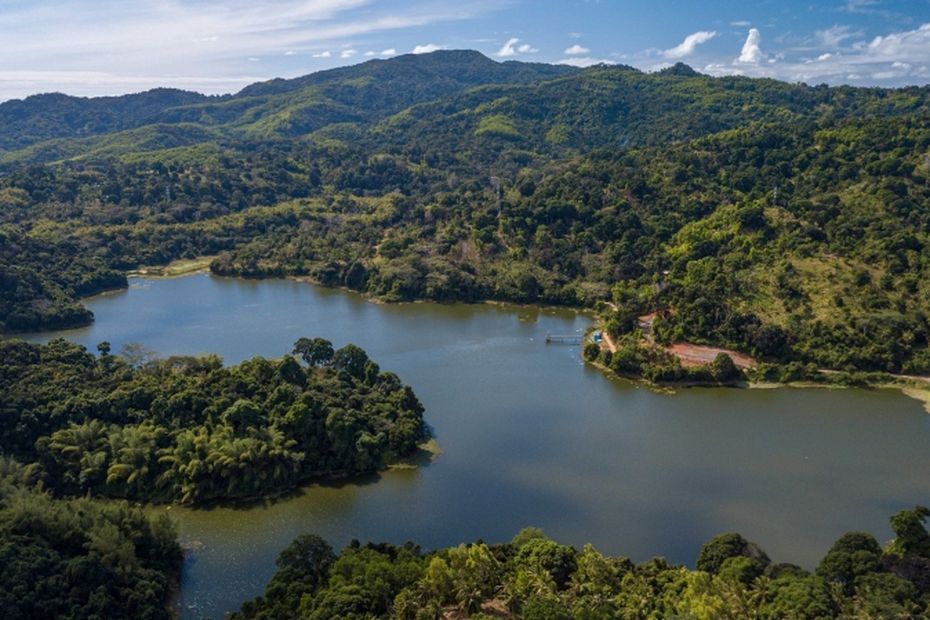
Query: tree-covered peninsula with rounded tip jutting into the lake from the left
[{"x": 191, "y": 430}]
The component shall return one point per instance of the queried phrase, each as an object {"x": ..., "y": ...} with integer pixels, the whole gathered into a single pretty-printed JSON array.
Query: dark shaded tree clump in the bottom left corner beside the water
[{"x": 81, "y": 558}]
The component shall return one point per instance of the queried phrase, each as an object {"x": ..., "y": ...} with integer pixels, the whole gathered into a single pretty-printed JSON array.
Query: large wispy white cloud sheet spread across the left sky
[{"x": 127, "y": 40}]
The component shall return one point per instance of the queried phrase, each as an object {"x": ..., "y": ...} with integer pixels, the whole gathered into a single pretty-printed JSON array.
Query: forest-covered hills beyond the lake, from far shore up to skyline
[{"x": 786, "y": 221}]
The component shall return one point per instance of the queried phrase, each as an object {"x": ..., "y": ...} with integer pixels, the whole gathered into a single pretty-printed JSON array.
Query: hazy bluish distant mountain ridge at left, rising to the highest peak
[{"x": 364, "y": 92}]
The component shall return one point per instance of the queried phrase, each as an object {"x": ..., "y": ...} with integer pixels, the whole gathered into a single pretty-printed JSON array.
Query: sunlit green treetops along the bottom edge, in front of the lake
[{"x": 535, "y": 578}]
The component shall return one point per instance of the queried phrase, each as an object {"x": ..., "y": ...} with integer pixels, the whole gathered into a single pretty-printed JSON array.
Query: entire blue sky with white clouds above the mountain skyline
[{"x": 107, "y": 47}]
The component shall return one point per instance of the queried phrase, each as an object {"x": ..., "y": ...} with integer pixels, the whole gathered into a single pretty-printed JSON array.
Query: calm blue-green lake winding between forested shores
[{"x": 530, "y": 436}]
